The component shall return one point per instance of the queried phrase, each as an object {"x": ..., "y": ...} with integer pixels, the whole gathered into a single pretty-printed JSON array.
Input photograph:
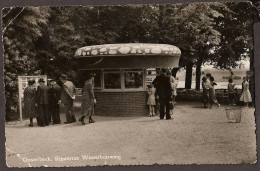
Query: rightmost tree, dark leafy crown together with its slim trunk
[{"x": 235, "y": 28}]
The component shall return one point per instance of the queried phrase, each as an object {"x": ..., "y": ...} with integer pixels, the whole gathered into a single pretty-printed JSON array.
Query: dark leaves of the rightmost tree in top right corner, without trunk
[{"x": 236, "y": 44}]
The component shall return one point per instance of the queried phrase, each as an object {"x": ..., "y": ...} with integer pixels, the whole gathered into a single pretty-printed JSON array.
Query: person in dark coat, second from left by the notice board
[{"x": 42, "y": 102}]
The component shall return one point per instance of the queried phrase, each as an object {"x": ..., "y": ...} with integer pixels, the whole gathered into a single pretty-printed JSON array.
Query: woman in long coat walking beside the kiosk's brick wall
[{"x": 88, "y": 99}]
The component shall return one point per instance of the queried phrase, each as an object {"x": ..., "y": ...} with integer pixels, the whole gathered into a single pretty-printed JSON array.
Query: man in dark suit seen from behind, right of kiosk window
[{"x": 163, "y": 89}]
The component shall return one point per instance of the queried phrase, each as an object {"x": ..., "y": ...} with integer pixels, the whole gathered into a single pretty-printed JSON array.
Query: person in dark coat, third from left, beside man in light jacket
[{"x": 54, "y": 98}]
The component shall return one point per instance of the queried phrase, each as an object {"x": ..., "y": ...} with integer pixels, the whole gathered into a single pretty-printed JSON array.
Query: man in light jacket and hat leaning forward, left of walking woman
[{"x": 68, "y": 94}]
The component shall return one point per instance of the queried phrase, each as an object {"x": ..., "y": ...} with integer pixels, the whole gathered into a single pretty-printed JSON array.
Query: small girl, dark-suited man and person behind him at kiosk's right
[{"x": 163, "y": 91}]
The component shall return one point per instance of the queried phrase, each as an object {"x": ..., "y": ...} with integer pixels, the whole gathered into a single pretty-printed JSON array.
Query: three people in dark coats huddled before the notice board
[{"x": 42, "y": 102}]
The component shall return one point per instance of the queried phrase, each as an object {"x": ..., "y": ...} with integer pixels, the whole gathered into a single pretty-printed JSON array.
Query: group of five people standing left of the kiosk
[{"x": 44, "y": 102}]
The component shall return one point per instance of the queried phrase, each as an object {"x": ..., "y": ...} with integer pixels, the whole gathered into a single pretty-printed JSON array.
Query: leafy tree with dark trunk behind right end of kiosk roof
[{"x": 188, "y": 26}]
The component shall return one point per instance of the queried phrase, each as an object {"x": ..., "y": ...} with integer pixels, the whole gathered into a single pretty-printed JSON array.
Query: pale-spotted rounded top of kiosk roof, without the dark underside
[{"x": 128, "y": 49}]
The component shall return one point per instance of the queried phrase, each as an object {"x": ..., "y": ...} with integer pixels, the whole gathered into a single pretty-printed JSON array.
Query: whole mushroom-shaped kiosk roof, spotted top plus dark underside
[{"x": 130, "y": 55}]
